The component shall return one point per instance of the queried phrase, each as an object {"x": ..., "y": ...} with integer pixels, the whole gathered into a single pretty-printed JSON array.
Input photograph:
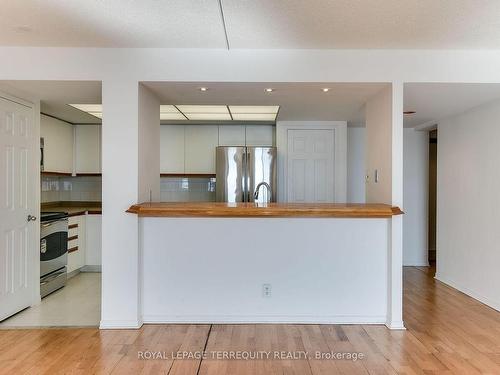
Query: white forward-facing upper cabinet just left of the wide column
[{"x": 87, "y": 149}]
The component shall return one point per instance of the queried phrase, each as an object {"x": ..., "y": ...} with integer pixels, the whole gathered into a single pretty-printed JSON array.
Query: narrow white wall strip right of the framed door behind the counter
[{"x": 356, "y": 147}]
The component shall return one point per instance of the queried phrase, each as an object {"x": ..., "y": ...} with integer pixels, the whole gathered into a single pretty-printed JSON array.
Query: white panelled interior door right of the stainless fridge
[{"x": 311, "y": 166}]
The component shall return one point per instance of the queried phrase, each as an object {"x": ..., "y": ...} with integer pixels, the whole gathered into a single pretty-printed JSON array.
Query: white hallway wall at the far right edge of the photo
[{"x": 468, "y": 201}]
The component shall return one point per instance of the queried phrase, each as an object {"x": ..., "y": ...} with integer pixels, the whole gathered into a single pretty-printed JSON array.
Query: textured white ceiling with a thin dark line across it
[{"x": 322, "y": 24}]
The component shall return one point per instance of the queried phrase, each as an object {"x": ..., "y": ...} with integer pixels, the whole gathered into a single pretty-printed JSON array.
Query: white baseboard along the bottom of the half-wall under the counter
[{"x": 264, "y": 319}]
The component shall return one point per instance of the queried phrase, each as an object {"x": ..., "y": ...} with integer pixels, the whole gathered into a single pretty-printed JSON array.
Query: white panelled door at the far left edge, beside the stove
[{"x": 19, "y": 160}]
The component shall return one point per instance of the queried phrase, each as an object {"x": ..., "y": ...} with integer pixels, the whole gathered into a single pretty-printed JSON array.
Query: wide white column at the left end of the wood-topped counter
[{"x": 129, "y": 146}]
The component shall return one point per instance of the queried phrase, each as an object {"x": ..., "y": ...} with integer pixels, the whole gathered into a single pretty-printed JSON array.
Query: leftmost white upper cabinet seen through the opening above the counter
[{"x": 172, "y": 148}]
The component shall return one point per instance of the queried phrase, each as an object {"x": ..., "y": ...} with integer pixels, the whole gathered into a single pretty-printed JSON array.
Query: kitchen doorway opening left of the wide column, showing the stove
[{"x": 60, "y": 284}]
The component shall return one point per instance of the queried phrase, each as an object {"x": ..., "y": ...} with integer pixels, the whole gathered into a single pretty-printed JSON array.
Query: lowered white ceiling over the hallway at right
[{"x": 435, "y": 101}]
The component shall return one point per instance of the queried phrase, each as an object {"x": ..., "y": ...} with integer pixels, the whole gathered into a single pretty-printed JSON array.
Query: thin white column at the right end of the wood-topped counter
[{"x": 395, "y": 270}]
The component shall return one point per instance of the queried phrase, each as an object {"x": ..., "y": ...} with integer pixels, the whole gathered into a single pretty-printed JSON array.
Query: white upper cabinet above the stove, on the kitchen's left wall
[{"x": 58, "y": 144}]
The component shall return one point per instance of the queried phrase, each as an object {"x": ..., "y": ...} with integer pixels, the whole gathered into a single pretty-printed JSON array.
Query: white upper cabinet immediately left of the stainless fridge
[{"x": 200, "y": 144}]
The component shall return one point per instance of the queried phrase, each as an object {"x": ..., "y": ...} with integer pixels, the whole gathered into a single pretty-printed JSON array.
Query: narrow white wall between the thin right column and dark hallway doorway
[{"x": 415, "y": 197}]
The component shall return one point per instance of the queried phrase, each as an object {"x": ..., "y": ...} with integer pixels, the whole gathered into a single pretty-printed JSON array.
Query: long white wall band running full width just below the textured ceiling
[{"x": 147, "y": 64}]
